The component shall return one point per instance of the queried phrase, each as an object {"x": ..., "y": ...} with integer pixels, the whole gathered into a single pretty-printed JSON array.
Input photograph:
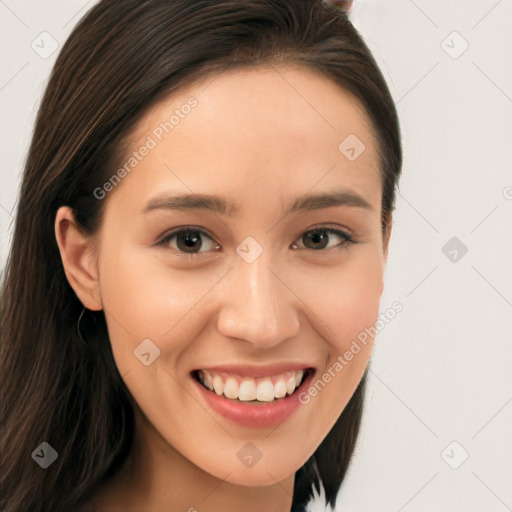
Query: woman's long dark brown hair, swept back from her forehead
[{"x": 122, "y": 58}]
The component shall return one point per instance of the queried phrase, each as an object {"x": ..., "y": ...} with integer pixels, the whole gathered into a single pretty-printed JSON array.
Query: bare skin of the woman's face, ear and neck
[{"x": 260, "y": 143}]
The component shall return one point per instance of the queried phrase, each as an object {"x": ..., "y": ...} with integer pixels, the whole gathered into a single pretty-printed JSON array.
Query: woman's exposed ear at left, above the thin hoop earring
[{"x": 78, "y": 254}]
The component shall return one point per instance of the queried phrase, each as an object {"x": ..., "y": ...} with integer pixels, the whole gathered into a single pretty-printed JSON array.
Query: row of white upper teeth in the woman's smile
[{"x": 264, "y": 389}]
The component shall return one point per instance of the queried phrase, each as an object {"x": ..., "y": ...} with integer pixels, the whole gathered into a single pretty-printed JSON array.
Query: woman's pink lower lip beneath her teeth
[{"x": 254, "y": 415}]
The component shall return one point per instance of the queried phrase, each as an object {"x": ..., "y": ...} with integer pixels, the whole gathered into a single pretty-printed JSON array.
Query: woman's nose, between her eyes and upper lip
[{"x": 259, "y": 304}]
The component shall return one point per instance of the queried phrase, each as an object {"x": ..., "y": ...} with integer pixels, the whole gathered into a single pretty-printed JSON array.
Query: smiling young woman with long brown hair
[{"x": 200, "y": 241}]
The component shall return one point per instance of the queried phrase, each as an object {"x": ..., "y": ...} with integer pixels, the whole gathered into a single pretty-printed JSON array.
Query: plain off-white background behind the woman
[{"x": 441, "y": 370}]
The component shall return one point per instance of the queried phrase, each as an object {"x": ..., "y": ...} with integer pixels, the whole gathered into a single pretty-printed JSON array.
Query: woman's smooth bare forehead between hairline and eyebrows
[{"x": 286, "y": 127}]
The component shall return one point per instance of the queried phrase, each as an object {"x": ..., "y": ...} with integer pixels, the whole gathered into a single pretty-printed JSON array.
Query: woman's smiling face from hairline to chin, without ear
[{"x": 251, "y": 294}]
